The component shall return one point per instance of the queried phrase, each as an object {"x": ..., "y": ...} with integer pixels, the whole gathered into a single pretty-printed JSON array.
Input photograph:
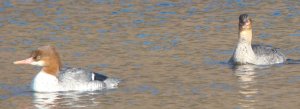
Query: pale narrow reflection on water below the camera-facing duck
[{"x": 247, "y": 81}]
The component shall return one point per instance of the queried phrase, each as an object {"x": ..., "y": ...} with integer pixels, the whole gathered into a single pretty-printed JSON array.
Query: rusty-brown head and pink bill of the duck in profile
[{"x": 45, "y": 56}]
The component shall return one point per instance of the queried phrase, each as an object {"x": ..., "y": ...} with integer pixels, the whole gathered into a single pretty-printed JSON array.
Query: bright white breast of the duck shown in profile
[{"x": 44, "y": 82}]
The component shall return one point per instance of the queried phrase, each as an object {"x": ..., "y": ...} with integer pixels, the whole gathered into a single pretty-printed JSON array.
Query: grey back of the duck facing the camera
[{"x": 268, "y": 55}]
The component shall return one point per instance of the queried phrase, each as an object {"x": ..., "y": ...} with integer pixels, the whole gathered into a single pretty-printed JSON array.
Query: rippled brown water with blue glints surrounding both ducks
[{"x": 169, "y": 54}]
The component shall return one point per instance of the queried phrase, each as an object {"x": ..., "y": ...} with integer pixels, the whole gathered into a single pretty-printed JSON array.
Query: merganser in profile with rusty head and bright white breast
[{"x": 53, "y": 77}]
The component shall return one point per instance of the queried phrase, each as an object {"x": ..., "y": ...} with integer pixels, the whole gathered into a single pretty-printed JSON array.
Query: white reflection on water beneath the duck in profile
[{"x": 65, "y": 99}]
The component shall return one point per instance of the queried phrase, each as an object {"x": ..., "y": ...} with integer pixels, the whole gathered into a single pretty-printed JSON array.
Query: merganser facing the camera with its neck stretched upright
[{"x": 245, "y": 53}]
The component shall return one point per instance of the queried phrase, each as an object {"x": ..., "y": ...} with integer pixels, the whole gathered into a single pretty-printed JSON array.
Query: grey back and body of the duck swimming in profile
[{"x": 80, "y": 79}]
